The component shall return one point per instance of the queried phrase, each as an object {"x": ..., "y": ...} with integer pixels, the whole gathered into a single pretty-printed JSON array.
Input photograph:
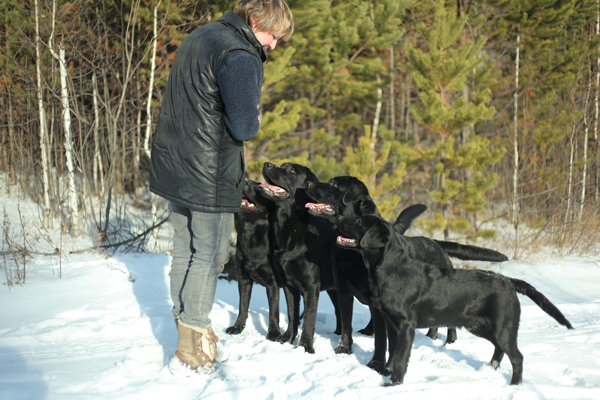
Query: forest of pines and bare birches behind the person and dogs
[{"x": 487, "y": 111}]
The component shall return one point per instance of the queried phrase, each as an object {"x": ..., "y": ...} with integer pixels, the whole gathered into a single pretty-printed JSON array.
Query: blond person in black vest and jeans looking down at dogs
[{"x": 210, "y": 108}]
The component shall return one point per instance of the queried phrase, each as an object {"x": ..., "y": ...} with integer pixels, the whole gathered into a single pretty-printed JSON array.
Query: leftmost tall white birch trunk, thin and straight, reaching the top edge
[{"x": 42, "y": 115}]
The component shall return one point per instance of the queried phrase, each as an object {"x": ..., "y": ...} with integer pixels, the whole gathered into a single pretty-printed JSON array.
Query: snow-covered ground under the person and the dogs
[{"x": 94, "y": 326}]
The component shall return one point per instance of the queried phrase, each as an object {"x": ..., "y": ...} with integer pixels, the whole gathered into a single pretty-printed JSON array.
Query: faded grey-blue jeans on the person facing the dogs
[{"x": 200, "y": 251}]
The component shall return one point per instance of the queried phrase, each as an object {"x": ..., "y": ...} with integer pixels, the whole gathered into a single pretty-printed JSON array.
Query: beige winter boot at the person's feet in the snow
[{"x": 196, "y": 347}]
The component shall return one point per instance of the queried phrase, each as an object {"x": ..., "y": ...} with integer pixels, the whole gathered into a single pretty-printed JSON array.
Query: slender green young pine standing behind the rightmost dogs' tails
[{"x": 441, "y": 72}]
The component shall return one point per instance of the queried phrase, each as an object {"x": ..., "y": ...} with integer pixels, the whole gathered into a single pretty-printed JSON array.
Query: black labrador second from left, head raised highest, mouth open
[{"x": 302, "y": 245}]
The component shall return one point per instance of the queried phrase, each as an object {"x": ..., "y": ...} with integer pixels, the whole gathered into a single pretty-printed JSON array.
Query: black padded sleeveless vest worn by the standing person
[{"x": 195, "y": 162}]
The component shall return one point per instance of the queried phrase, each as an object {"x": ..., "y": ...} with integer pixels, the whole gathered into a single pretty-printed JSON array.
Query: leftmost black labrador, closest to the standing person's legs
[{"x": 253, "y": 259}]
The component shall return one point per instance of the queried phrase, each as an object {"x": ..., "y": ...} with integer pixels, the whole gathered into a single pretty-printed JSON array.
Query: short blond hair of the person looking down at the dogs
[{"x": 273, "y": 16}]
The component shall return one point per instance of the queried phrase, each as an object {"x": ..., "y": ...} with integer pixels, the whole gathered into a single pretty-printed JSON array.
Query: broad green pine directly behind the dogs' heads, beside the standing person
[{"x": 331, "y": 92}]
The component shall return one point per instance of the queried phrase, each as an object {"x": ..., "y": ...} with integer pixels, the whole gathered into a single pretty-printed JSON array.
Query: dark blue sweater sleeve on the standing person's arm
[{"x": 240, "y": 79}]
